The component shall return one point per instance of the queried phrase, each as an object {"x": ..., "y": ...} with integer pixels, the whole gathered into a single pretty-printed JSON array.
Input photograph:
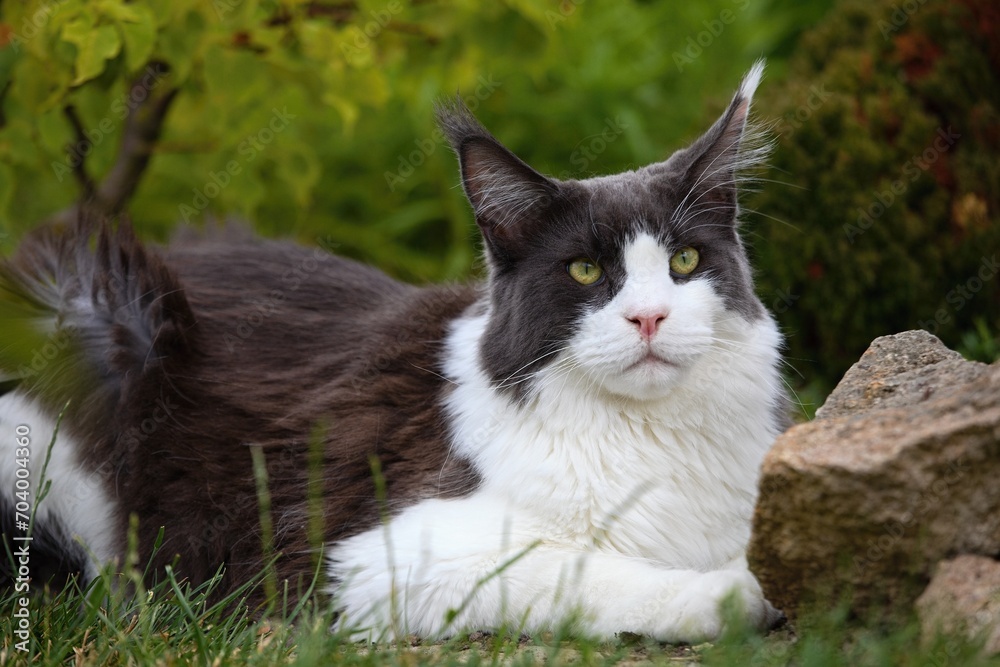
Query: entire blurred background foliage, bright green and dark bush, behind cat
[{"x": 314, "y": 120}]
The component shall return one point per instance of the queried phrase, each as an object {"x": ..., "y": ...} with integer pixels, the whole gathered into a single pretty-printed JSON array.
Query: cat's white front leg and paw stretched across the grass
[{"x": 446, "y": 566}]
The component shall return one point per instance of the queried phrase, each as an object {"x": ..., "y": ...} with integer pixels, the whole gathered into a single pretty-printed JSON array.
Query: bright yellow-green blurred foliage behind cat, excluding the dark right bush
[{"x": 351, "y": 87}]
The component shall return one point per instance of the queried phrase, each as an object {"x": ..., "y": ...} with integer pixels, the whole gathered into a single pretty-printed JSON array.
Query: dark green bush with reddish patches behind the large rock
[{"x": 889, "y": 139}]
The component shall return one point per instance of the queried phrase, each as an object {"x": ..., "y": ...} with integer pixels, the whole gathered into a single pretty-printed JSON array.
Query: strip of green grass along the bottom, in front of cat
[{"x": 173, "y": 624}]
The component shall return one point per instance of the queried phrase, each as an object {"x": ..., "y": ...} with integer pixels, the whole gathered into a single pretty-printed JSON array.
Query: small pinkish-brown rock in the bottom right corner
[{"x": 963, "y": 597}]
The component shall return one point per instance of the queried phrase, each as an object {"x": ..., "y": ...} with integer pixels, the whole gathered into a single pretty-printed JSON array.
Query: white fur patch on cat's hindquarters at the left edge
[{"x": 77, "y": 499}]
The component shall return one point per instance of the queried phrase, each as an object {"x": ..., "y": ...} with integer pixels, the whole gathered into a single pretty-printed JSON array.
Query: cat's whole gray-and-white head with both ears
[{"x": 626, "y": 279}]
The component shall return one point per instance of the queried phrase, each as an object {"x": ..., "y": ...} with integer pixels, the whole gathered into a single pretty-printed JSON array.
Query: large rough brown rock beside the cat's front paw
[{"x": 898, "y": 471}]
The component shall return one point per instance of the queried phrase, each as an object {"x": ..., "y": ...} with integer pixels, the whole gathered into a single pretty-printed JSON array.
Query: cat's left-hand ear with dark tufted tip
[{"x": 508, "y": 197}]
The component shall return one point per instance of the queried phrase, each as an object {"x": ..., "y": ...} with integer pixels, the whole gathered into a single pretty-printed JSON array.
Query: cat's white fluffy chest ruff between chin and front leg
[{"x": 672, "y": 481}]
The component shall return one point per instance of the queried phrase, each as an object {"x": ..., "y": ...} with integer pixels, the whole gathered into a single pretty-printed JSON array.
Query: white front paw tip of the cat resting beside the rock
[{"x": 698, "y": 612}]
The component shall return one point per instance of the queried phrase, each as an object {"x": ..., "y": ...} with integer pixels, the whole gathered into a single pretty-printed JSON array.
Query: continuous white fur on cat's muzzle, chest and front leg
[{"x": 619, "y": 495}]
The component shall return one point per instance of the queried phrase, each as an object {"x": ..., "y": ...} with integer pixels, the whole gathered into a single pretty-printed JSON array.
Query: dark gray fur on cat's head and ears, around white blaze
[{"x": 534, "y": 226}]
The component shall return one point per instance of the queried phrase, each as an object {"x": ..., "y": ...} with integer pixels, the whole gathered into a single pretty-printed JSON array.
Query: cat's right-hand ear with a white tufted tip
[{"x": 709, "y": 168}]
